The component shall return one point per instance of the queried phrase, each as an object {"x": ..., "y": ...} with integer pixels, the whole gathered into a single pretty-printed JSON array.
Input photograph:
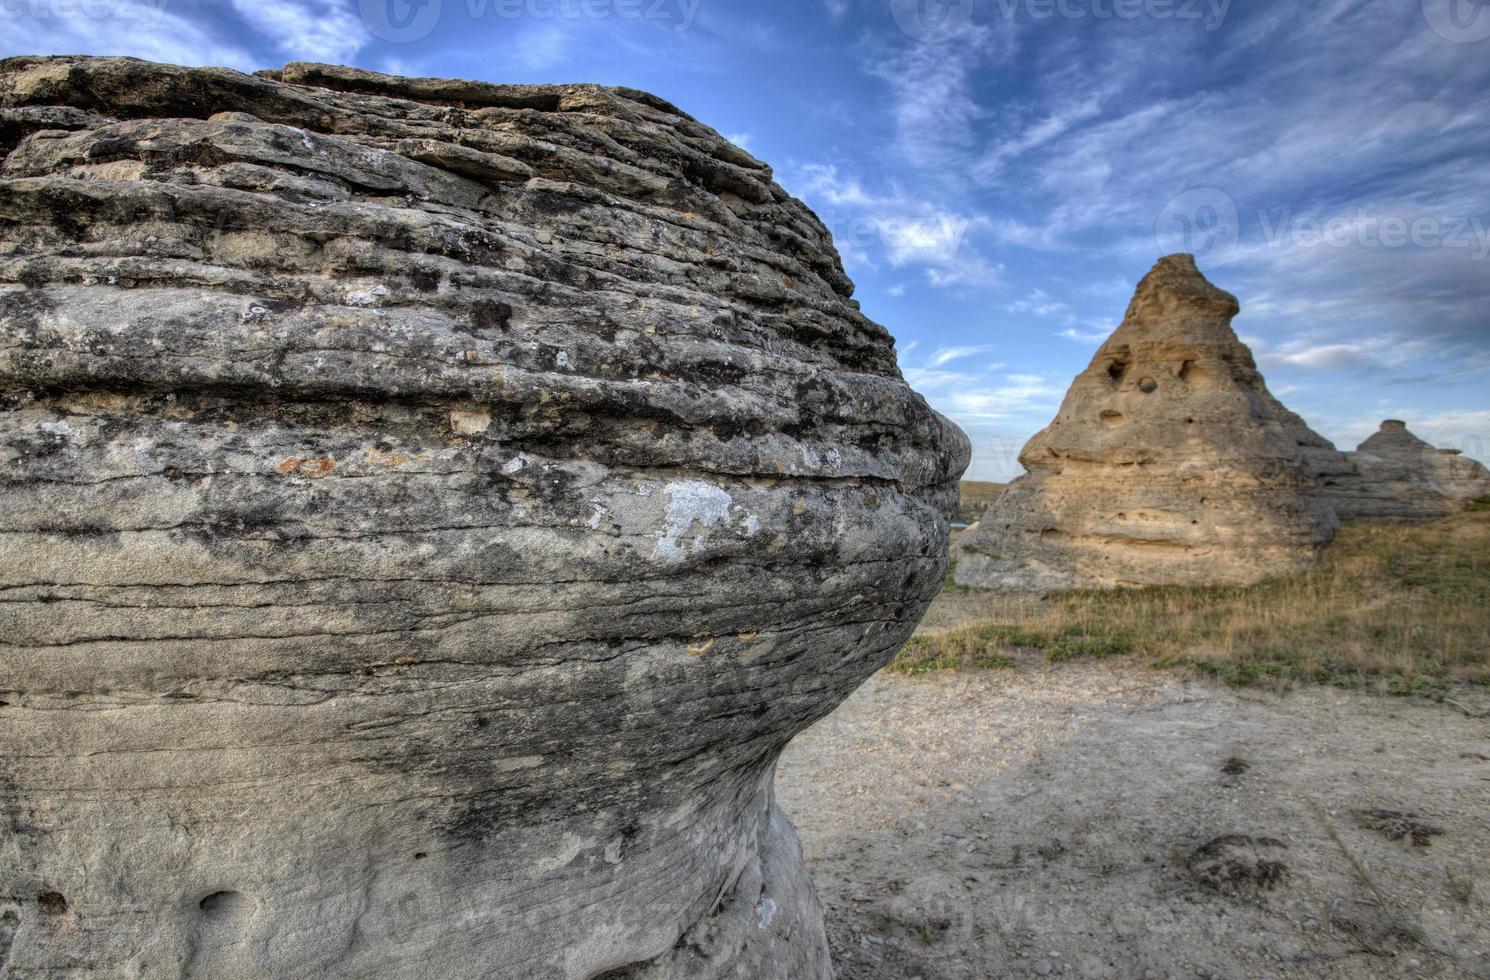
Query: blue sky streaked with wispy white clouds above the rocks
[{"x": 999, "y": 174}]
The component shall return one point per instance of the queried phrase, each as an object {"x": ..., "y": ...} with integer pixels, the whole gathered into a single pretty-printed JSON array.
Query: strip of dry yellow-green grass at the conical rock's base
[{"x": 1401, "y": 608}]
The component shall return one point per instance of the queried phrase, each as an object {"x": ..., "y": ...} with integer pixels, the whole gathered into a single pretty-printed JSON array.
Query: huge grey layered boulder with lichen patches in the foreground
[{"x": 430, "y": 509}]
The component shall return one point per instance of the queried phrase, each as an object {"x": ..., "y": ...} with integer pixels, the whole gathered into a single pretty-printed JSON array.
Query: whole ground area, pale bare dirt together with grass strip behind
[{"x": 1135, "y": 815}]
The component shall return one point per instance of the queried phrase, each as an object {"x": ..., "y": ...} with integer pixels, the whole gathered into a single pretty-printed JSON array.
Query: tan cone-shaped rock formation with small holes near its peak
[{"x": 1170, "y": 464}]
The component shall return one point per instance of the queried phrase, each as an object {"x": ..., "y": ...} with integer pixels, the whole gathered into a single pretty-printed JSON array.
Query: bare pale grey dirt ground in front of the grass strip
[{"x": 1042, "y": 823}]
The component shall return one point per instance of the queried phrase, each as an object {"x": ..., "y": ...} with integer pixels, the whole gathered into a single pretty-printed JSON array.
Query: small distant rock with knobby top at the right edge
[{"x": 1398, "y": 477}]
